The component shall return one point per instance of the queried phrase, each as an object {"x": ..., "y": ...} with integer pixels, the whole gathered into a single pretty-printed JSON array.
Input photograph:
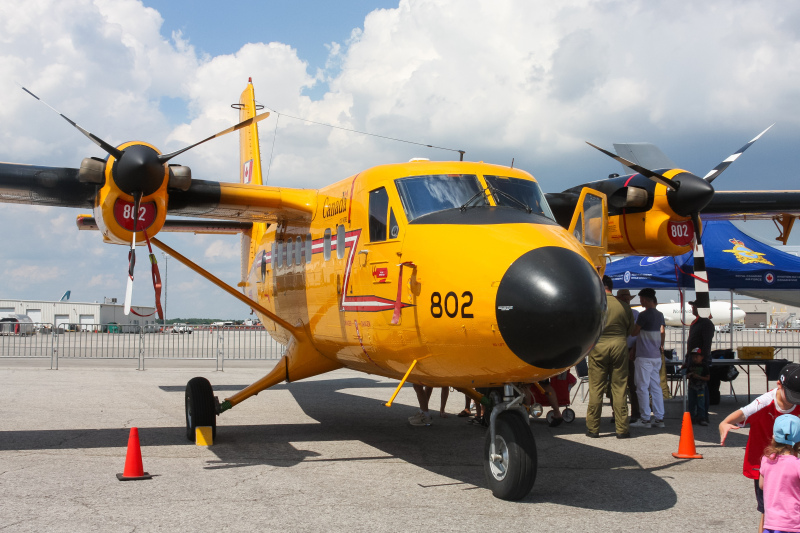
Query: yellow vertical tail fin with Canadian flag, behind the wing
[{"x": 250, "y": 171}]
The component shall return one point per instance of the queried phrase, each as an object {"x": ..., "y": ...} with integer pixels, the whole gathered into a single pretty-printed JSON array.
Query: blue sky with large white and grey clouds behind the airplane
[{"x": 524, "y": 79}]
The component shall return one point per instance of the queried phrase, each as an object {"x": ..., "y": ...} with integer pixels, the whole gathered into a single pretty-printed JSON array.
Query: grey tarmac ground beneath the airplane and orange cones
[{"x": 326, "y": 454}]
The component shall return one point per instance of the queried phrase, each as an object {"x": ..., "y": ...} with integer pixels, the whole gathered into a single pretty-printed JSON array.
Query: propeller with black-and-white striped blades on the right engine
[{"x": 687, "y": 196}]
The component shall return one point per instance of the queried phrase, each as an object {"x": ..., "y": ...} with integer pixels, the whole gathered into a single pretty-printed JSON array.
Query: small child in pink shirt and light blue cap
[{"x": 780, "y": 476}]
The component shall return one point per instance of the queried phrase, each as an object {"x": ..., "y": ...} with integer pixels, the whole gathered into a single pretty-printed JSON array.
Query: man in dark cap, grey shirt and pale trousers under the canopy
[{"x": 650, "y": 333}]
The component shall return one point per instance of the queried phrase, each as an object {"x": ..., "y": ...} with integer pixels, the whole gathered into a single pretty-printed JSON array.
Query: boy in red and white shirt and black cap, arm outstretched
[{"x": 761, "y": 415}]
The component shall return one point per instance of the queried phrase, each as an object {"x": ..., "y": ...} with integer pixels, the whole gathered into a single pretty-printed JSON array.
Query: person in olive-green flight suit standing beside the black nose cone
[{"x": 608, "y": 363}]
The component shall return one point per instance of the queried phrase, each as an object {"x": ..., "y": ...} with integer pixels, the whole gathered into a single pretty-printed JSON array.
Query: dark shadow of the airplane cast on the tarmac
[{"x": 570, "y": 473}]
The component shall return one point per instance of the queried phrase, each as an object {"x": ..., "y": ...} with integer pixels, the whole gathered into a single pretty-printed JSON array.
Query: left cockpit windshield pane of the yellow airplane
[{"x": 421, "y": 195}]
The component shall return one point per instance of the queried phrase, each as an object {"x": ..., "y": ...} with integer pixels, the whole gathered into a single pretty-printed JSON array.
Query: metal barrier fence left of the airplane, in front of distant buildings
[{"x": 112, "y": 341}]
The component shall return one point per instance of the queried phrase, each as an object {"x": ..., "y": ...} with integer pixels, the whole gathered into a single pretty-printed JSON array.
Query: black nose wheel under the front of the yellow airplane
[{"x": 511, "y": 472}]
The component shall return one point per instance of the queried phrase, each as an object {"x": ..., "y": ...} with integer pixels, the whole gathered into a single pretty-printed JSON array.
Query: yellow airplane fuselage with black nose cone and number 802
[{"x": 417, "y": 262}]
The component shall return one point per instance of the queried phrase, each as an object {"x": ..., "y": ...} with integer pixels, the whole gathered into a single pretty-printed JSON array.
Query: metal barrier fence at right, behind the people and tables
[{"x": 785, "y": 341}]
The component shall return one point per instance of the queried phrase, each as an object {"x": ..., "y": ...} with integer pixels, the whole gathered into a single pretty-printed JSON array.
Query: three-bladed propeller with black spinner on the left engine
[{"x": 140, "y": 171}]
